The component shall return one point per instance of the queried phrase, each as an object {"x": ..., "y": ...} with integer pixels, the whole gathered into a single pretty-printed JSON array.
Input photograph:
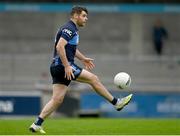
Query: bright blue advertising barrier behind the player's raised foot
[{"x": 142, "y": 105}]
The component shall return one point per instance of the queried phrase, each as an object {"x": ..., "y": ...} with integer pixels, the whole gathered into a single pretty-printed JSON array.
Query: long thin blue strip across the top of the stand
[{"x": 62, "y": 7}]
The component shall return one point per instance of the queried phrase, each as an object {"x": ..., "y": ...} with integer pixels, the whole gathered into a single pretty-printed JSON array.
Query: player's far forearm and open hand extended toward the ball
[{"x": 88, "y": 62}]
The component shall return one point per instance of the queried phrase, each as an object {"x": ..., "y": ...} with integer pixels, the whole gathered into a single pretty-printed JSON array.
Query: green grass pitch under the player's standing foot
[{"x": 95, "y": 126}]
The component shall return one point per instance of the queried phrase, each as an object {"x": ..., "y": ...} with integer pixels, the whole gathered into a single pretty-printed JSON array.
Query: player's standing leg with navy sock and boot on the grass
[{"x": 59, "y": 91}]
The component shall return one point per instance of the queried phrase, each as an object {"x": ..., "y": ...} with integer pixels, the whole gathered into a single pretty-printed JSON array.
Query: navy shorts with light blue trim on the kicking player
[{"x": 58, "y": 73}]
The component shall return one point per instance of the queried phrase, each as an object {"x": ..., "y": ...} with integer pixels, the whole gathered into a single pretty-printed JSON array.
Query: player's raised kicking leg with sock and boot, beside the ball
[{"x": 93, "y": 80}]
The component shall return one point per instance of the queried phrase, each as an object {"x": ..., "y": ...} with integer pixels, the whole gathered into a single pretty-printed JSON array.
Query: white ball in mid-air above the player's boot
[{"x": 122, "y": 80}]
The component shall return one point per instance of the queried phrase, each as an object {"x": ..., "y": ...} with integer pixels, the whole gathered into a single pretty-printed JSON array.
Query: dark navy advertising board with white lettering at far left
[{"x": 20, "y": 105}]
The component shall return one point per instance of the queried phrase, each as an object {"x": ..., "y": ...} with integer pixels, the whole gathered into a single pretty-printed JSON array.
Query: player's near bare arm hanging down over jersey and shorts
[{"x": 62, "y": 53}]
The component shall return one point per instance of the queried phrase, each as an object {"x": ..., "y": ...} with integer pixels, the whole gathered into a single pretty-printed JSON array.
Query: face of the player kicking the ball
[{"x": 82, "y": 19}]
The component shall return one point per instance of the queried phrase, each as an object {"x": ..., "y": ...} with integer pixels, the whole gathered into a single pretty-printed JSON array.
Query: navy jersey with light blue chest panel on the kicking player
[{"x": 70, "y": 33}]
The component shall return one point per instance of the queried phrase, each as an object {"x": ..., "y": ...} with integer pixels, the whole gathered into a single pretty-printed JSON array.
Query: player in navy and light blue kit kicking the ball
[{"x": 63, "y": 69}]
